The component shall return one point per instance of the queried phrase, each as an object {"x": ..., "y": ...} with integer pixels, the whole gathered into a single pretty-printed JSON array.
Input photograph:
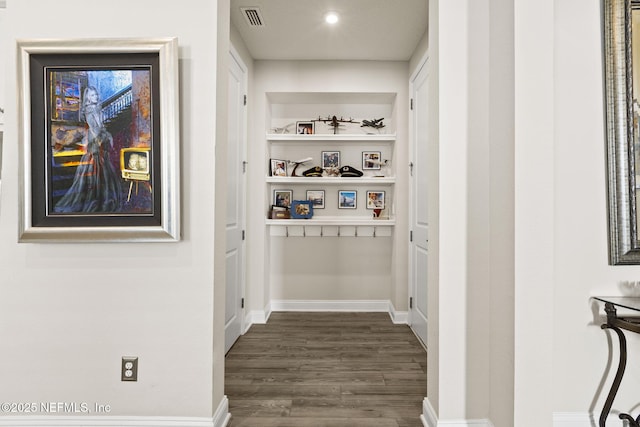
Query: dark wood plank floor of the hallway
[{"x": 326, "y": 369}]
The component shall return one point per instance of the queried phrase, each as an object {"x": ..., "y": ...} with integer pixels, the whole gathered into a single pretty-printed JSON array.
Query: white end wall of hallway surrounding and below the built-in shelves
[{"x": 325, "y": 76}]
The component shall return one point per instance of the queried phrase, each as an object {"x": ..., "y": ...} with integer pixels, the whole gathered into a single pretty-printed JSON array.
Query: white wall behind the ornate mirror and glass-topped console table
[{"x": 580, "y": 348}]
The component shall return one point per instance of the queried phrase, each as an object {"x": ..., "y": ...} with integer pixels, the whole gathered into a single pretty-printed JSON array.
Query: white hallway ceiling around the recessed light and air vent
[{"x": 368, "y": 29}]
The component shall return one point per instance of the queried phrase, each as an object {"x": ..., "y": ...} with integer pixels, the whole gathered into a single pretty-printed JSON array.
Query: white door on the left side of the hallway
[{"x": 234, "y": 314}]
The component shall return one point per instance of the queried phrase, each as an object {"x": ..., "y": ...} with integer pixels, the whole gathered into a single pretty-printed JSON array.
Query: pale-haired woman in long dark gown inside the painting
[{"x": 97, "y": 186}]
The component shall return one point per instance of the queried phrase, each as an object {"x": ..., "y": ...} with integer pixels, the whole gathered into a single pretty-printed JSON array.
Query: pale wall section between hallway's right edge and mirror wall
[{"x": 471, "y": 257}]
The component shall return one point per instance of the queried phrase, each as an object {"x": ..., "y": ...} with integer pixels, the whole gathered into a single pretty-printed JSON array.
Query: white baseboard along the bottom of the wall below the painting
[{"x": 102, "y": 421}]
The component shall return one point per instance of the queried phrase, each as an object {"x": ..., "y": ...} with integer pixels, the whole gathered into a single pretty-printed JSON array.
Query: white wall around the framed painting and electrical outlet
[{"x": 69, "y": 312}]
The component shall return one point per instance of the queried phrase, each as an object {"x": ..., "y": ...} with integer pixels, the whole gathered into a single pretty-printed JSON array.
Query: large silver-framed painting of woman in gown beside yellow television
[{"x": 99, "y": 140}]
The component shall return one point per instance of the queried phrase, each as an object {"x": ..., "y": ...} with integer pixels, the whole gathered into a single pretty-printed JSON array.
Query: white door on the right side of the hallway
[{"x": 419, "y": 235}]
